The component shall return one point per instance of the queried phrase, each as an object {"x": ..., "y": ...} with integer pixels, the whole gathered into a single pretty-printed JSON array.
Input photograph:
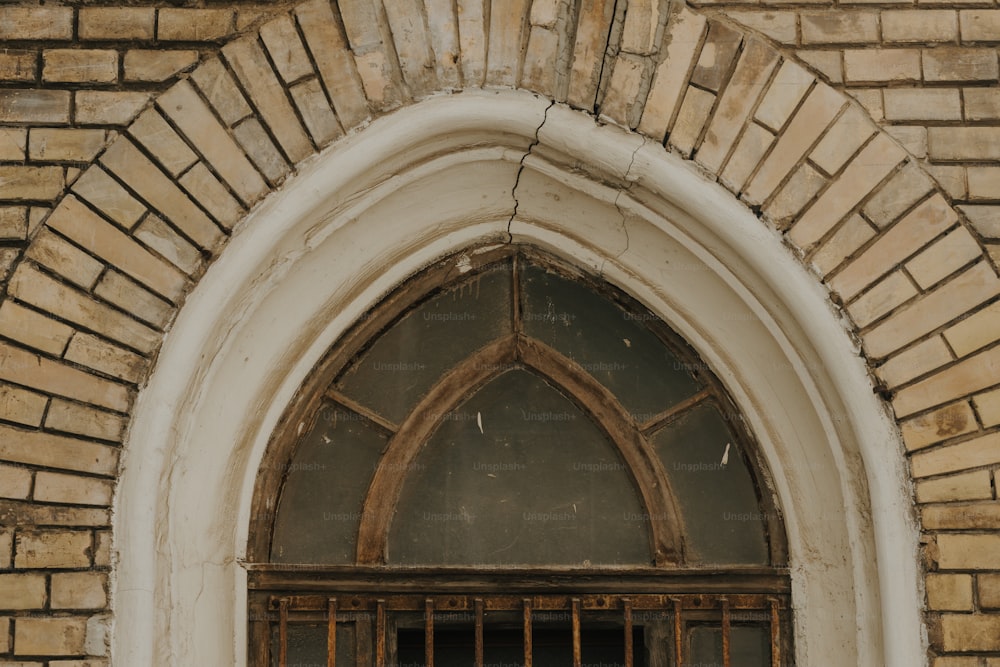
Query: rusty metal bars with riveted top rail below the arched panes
[{"x": 683, "y": 610}]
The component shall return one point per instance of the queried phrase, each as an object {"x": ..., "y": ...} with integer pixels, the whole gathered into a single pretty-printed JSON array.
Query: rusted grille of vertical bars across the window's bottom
[{"x": 677, "y": 614}]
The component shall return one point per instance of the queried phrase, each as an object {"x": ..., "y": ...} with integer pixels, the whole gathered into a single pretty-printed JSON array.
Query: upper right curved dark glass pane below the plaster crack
[{"x": 611, "y": 344}]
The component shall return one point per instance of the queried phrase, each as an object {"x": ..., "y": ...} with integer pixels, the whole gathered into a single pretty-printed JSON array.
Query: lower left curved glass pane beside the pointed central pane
[{"x": 320, "y": 506}]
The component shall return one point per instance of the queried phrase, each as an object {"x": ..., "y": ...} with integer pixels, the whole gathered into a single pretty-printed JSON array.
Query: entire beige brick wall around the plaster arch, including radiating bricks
[{"x": 133, "y": 139}]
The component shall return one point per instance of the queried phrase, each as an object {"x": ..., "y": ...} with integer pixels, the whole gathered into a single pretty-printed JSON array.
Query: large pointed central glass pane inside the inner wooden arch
[{"x": 537, "y": 483}]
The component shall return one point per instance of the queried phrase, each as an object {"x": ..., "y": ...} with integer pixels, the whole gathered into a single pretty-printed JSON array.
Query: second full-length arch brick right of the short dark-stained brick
[{"x": 812, "y": 118}]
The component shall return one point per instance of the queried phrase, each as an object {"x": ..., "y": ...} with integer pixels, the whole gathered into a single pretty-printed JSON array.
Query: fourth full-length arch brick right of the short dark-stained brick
[{"x": 922, "y": 224}]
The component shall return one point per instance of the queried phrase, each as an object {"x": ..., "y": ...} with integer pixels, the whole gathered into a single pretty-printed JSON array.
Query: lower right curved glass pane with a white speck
[{"x": 724, "y": 521}]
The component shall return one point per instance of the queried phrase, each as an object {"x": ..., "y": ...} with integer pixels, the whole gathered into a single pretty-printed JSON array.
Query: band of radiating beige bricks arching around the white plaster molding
[{"x": 88, "y": 303}]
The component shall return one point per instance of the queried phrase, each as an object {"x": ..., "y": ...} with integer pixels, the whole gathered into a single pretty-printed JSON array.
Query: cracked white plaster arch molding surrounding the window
[{"x": 437, "y": 177}]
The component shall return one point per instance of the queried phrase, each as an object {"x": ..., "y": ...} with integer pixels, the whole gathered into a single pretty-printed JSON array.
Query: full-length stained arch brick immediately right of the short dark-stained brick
[{"x": 752, "y": 71}]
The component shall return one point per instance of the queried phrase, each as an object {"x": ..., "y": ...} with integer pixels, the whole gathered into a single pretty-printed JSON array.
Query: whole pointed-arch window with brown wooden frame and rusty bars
[{"x": 510, "y": 461}]
